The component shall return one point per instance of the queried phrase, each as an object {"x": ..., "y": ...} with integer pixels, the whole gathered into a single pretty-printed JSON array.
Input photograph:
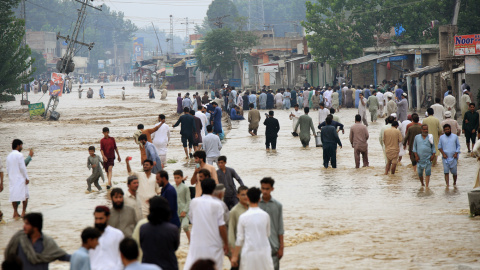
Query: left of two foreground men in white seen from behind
[{"x": 208, "y": 238}]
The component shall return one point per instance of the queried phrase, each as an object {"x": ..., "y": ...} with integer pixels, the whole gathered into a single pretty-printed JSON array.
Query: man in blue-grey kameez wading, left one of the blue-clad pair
[{"x": 424, "y": 149}]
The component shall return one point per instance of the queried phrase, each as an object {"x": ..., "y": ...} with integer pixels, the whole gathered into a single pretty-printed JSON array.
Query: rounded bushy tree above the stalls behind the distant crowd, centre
[{"x": 222, "y": 47}]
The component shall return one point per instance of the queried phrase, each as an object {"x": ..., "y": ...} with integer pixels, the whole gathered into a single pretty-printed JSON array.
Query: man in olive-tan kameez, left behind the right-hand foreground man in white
[{"x": 237, "y": 210}]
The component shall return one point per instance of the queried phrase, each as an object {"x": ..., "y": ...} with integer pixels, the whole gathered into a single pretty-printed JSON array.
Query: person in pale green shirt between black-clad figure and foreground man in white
[{"x": 183, "y": 202}]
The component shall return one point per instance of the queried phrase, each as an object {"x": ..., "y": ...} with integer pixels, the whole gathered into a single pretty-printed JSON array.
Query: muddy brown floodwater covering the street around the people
[{"x": 342, "y": 218}]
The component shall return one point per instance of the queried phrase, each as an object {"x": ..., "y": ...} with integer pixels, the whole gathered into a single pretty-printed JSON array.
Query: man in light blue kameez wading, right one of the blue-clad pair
[{"x": 449, "y": 146}]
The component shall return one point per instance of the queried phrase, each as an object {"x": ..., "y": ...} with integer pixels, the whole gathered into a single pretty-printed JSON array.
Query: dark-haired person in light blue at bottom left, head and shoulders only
[{"x": 80, "y": 259}]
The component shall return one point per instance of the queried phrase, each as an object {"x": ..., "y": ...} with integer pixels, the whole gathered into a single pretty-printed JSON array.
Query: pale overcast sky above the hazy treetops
[{"x": 144, "y": 12}]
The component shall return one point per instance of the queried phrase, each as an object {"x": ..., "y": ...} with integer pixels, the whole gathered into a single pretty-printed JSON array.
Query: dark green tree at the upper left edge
[{"x": 14, "y": 57}]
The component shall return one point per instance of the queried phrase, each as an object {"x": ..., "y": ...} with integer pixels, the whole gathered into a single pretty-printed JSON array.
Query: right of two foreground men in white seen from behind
[{"x": 253, "y": 230}]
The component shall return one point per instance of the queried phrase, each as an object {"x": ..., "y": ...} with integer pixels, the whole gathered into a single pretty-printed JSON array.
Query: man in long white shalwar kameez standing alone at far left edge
[{"x": 17, "y": 174}]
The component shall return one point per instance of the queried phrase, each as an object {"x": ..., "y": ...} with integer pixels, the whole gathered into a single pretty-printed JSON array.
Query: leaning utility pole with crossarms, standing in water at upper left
[{"x": 65, "y": 64}]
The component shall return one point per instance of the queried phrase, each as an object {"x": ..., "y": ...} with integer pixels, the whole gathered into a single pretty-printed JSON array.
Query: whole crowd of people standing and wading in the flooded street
[{"x": 141, "y": 230}]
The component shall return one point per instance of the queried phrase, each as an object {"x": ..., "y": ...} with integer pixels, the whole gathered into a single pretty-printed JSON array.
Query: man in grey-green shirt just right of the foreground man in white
[{"x": 274, "y": 210}]
